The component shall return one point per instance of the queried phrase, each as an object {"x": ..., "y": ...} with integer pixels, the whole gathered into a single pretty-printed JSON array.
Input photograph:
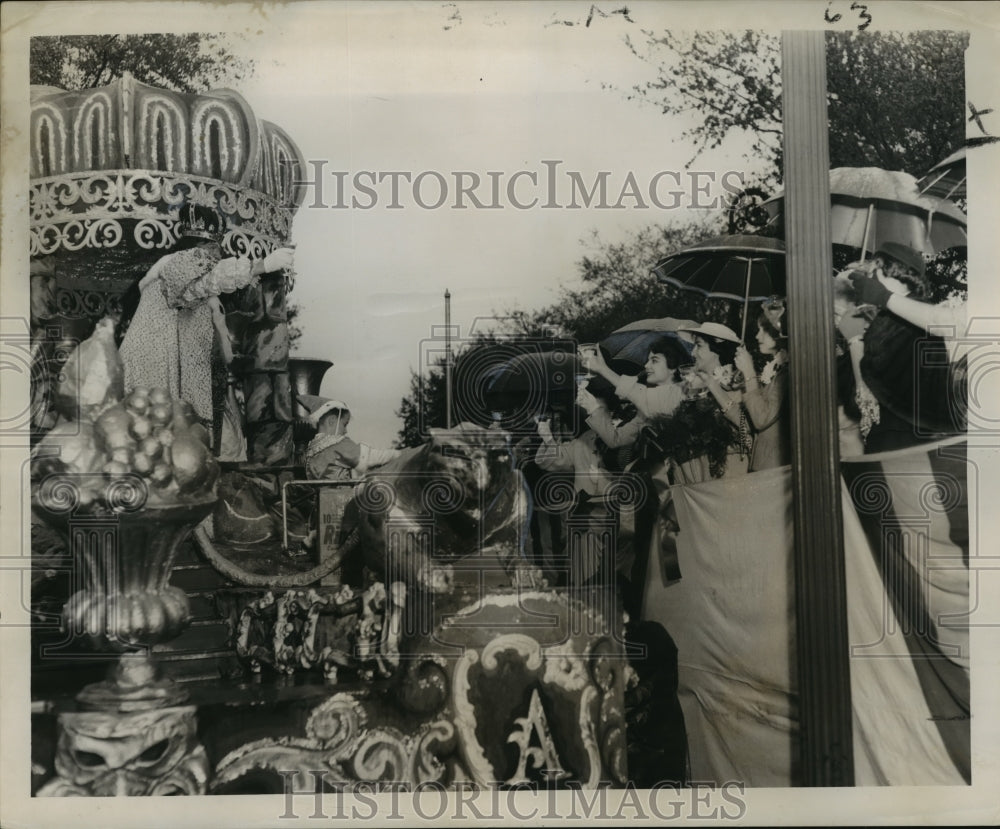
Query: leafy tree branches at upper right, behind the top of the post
[{"x": 896, "y": 100}]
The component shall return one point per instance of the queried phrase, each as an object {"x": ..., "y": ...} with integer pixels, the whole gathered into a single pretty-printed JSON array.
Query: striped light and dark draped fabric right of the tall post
[{"x": 906, "y": 538}]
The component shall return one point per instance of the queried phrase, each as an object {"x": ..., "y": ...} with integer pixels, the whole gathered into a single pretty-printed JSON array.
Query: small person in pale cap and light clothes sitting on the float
[{"x": 332, "y": 455}]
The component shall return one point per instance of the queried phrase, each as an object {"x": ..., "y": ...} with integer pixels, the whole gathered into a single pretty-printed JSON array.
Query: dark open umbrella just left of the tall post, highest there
[{"x": 738, "y": 267}]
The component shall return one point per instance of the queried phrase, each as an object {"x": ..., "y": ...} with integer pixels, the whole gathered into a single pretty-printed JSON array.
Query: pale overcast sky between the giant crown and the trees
[{"x": 499, "y": 90}]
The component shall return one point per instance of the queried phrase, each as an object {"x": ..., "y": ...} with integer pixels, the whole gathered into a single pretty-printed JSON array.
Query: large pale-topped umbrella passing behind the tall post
[{"x": 870, "y": 206}]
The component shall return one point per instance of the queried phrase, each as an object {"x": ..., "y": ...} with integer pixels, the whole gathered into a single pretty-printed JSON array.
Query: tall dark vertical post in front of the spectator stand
[{"x": 826, "y": 749}]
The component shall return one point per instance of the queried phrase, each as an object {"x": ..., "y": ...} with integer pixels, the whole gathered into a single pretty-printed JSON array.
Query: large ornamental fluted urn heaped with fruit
[{"x": 124, "y": 486}]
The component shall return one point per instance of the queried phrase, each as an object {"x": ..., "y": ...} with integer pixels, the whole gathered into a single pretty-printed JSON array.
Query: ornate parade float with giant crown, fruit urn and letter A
[{"x": 165, "y": 606}]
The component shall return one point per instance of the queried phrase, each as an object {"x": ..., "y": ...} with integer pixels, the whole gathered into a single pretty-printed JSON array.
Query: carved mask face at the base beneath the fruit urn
[{"x": 122, "y": 755}]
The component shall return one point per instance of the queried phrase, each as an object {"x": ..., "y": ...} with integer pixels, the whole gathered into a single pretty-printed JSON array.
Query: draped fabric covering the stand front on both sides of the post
[{"x": 732, "y": 616}]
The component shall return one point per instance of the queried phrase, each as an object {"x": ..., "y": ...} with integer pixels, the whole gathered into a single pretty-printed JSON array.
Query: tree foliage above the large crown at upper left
[{"x": 182, "y": 62}]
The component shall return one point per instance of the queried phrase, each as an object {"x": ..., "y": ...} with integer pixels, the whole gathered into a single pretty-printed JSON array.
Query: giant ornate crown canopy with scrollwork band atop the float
[{"x": 110, "y": 166}]
